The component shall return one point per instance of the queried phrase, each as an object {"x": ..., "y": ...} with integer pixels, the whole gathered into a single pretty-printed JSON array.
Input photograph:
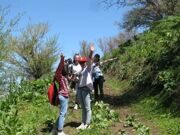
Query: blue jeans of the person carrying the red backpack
[{"x": 63, "y": 110}]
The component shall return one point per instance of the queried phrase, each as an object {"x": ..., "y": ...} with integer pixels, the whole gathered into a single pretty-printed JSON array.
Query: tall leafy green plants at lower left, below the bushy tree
[{"x": 25, "y": 92}]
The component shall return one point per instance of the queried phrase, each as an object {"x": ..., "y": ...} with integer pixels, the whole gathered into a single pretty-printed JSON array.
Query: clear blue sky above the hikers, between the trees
[{"x": 72, "y": 20}]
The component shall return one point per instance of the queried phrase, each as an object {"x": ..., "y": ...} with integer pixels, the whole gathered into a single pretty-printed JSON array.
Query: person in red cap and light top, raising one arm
[{"x": 85, "y": 87}]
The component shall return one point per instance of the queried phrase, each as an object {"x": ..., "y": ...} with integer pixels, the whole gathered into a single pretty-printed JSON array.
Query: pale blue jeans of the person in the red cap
[{"x": 84, "y": 96}]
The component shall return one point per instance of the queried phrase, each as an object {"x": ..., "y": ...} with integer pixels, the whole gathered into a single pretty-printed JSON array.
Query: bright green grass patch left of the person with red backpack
[{"x": 35, "y": 116}]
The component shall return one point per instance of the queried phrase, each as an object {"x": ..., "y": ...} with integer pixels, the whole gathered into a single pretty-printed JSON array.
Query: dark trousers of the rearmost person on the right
[{"x": 98, "y": 86}]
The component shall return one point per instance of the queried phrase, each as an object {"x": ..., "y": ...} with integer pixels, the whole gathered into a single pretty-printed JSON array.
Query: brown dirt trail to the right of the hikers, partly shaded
[{"x": 114, "y": 99}]
